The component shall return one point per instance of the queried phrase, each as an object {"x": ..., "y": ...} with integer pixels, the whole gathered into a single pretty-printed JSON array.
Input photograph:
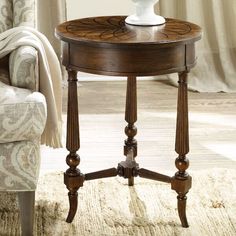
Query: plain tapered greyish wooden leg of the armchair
[{"x": 26, "y": 203}]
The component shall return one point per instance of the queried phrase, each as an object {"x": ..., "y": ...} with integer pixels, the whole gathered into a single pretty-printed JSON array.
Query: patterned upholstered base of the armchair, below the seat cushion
[{"x": 19, "y": 165}]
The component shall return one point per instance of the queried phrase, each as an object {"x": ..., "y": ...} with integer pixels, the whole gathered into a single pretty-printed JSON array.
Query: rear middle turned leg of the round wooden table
[{"x": 131, "y": 118}]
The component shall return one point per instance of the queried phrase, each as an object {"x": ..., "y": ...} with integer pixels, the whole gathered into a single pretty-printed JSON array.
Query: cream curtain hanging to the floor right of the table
[{"x": 216, "y": 52}]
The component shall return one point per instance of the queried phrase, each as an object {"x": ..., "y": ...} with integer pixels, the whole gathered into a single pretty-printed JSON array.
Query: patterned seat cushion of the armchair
[{"x": 22, "y": 114}]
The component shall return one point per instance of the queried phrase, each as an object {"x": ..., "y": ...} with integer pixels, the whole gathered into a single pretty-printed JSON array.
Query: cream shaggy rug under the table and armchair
[{"x": 109, "y": 207}]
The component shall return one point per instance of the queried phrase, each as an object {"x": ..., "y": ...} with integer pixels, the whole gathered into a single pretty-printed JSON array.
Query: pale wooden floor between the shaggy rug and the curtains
[{"x": 212, "y": 128}]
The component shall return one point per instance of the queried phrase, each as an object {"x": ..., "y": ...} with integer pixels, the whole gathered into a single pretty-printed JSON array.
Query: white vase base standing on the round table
[{"x": 145, "y": 14}]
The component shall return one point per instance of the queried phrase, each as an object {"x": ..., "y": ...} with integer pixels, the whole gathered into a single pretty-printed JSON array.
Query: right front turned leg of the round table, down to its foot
[{"x": 181, "y": 182}]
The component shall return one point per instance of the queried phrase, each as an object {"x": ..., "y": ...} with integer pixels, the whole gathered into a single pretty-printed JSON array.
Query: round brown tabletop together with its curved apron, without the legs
[{"x": 108, "y": 46}]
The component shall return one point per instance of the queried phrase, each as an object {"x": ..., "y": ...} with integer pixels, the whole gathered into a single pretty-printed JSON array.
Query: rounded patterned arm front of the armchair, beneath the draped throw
[{"x": 23, "y": 68}]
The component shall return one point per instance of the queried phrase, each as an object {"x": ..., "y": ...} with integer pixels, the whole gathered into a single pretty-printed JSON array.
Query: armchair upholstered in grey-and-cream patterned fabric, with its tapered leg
[{"x": 22, "y": 114}]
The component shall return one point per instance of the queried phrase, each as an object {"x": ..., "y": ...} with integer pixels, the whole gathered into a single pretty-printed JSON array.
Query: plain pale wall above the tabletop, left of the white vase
[{"x": 85, "y": 8}]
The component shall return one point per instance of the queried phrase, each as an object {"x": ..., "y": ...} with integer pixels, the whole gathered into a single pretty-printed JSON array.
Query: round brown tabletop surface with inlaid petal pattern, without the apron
[{"x": 114, "y": 30}]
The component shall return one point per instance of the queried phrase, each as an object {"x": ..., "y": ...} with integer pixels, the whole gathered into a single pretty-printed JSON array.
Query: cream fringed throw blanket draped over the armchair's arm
[{"x": 49, "y": 76}]
